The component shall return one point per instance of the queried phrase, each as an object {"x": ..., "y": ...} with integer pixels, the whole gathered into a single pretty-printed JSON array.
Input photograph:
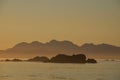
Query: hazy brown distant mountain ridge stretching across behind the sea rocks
[{"x": 54, "y": 47}]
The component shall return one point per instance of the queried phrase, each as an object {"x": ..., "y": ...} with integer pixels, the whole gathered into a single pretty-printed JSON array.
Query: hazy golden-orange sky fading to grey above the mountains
[{"x": 80, "y": 21}]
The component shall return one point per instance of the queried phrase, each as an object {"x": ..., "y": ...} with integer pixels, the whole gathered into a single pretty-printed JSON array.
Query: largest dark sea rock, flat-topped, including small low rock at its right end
[{"x": 79, "y": 58}]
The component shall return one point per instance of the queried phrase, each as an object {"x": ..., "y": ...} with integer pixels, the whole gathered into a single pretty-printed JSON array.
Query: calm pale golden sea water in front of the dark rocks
[{"x": 52, "y": 71}]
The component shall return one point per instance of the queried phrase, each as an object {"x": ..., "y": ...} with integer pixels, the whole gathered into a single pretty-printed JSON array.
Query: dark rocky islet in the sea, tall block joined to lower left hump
[{"x": 62, "y": 58}]
